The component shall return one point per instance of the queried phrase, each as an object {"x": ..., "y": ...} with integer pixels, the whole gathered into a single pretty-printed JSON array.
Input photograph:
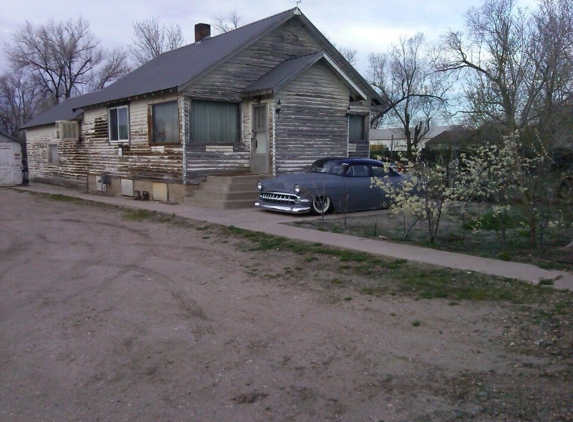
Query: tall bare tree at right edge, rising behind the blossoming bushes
[{"x": 519, "y": 79}]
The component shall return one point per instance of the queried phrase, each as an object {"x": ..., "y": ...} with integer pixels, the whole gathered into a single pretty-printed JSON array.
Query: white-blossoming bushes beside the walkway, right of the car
[{"x": 502, "y": 175}]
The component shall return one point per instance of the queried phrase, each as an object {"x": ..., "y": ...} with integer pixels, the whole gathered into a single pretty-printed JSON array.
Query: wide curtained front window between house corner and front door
[{"x": 214, "y": 122}]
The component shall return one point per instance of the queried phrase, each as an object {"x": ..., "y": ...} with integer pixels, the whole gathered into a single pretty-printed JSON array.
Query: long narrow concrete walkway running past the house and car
[{"x": 271, "y": 223}]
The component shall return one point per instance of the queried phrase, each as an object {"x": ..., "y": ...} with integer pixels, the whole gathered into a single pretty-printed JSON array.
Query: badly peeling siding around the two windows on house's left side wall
[{"x": 140, "y": 160}]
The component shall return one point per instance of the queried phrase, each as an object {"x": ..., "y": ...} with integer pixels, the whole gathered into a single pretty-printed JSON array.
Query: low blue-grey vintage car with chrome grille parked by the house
[{"x": 330, "y": 184}]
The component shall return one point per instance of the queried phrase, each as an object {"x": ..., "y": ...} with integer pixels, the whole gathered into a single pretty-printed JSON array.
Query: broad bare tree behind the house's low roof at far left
[{"x": 61, "y": 57}]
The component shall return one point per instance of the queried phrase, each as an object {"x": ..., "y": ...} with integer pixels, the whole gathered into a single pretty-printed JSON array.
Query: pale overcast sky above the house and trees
[{"x": 366, "y": 26}]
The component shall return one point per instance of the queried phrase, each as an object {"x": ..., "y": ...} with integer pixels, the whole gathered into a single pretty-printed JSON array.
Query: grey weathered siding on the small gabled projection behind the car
[{"x": 312, "y": 122}]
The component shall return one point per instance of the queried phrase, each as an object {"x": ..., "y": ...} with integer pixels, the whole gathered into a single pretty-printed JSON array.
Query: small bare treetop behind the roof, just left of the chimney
[{"x": 152, "y": 38}]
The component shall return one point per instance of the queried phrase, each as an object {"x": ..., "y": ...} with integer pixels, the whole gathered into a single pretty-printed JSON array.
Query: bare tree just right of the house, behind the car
[{"x": 412, "y": 91}]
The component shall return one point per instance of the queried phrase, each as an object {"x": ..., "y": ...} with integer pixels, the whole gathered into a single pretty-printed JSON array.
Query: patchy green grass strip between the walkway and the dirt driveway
[{"x": 378, "y": 276}]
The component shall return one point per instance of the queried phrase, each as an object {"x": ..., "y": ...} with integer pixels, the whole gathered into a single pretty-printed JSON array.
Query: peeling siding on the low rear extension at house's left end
[{"x": 71, "y": 170}]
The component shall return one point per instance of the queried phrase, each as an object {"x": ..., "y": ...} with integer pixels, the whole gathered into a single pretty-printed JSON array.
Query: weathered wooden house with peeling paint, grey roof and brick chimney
[{"x": 267, "y": 98}]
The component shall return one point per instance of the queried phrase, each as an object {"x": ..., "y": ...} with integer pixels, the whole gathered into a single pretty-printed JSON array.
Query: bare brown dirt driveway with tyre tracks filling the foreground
[{"x": 103, "y": 318}]
